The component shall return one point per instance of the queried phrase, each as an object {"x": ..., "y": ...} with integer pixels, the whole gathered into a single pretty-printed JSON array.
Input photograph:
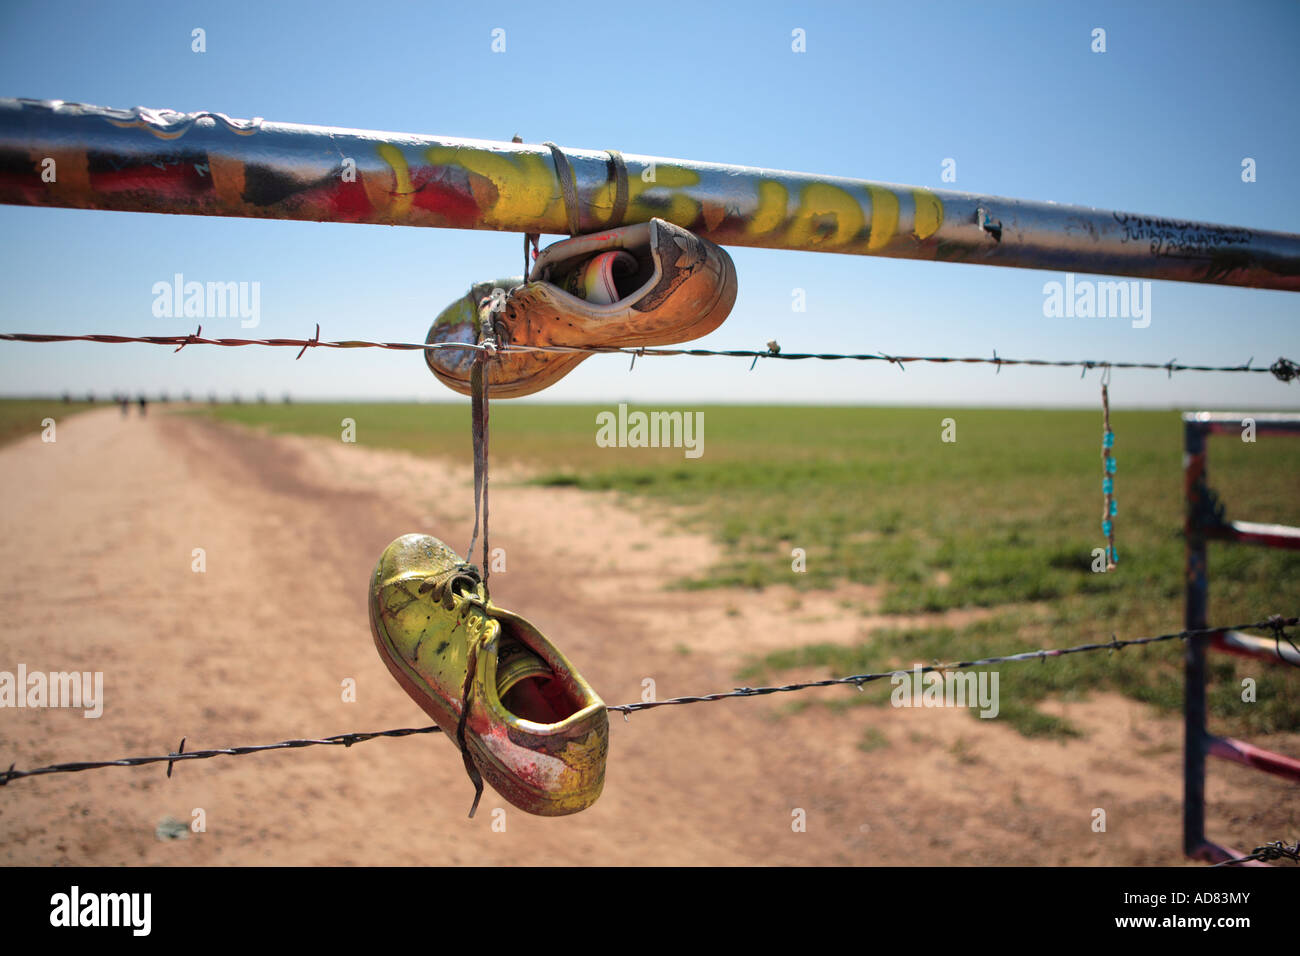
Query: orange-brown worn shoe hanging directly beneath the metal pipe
[{"x": 642, "y": 285}]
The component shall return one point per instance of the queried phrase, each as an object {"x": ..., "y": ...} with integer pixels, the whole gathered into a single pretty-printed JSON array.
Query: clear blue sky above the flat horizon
[{"x": 1158, "y": 124}]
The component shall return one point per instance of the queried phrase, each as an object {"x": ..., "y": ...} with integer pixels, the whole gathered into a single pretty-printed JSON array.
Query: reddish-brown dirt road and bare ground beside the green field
[{"x": 97, "y": 540}]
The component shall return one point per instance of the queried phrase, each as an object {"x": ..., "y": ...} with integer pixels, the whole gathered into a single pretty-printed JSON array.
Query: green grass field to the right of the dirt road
[{"x": 1007, "y": 518}]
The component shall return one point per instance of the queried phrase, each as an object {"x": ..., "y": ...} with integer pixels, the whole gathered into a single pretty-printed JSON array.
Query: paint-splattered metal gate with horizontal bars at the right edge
[{"x": 1206, "y": 522}]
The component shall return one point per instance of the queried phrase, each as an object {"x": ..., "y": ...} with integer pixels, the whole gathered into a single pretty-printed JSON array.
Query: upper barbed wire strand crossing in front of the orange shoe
[{"x": 1285, "y": 370}]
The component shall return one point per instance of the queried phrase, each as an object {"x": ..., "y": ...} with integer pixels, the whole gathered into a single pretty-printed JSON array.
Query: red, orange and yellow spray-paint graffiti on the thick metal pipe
[{"x": 452, "y": 185}]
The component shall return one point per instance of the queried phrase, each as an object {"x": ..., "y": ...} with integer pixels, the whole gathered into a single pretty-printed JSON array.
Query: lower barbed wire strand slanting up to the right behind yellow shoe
[{"x": 1277, "y": 624}]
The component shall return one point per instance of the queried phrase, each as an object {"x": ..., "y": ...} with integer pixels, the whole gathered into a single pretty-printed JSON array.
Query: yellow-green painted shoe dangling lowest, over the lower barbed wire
[{"x": 530, "y": 724}]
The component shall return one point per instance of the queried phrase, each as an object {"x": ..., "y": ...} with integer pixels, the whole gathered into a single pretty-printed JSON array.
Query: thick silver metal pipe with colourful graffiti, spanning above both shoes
[{"x": 145, "y": 161}]
